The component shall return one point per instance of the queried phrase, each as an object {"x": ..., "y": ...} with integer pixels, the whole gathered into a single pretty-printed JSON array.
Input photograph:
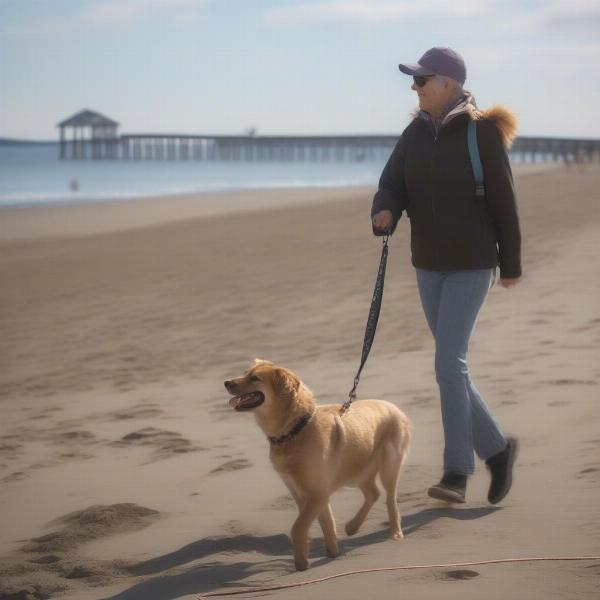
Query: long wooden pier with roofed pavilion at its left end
[{"x": 94, "y": 136}]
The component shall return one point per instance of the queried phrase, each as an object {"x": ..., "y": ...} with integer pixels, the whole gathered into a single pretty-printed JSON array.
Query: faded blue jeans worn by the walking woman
[{"x": 451, "y": 301}]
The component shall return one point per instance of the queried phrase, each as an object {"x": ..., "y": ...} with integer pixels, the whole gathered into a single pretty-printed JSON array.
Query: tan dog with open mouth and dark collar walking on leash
[{"x": 316, "y": 450}]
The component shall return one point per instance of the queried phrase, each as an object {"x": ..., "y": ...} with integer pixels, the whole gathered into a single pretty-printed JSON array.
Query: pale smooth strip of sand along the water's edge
[{"x": 95, "y": 217}]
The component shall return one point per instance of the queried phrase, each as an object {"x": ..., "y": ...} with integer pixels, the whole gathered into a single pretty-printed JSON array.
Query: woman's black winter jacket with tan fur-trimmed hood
[{"x": 429, "y": 175}]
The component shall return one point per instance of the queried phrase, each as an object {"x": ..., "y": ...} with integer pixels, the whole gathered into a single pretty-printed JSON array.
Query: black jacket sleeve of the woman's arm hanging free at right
[{"x": 500, "y": 198}]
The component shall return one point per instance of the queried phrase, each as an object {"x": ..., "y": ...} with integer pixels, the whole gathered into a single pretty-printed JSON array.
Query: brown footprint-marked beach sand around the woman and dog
[{"x": 124, "y": 474}]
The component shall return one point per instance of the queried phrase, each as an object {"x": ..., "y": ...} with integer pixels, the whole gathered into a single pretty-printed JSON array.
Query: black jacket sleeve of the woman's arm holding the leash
[{"x": 392, "y": 194}]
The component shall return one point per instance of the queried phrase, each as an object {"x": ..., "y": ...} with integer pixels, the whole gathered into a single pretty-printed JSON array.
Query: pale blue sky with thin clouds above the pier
[{"x": 289, "y": 66}]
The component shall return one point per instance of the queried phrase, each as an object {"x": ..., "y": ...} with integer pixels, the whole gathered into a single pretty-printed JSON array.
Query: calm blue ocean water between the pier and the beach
[{"x": 32, "y": 174}]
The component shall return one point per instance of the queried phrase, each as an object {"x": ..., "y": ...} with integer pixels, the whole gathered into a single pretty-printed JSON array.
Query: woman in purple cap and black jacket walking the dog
[{"x": 458, "y": 240}]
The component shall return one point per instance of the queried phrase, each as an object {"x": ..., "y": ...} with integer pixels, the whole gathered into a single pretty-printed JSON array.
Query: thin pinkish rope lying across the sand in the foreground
[{"x": 400, "y": 568}]
